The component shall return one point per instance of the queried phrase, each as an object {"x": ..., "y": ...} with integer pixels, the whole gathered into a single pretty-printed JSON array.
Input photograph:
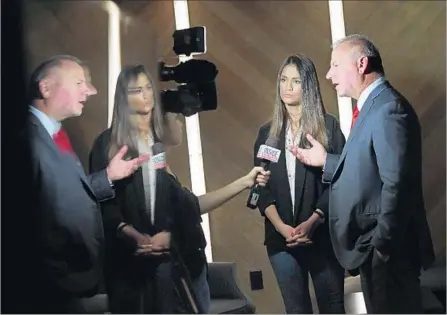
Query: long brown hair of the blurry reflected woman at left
[{"x": 123, "y": 131}]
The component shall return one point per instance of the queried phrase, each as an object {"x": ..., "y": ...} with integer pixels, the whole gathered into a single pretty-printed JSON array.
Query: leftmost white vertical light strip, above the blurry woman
[{"x": 114, "y": 54}]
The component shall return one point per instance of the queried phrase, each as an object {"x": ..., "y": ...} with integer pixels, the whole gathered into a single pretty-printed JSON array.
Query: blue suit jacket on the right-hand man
[{"x": 376, "y": 184}]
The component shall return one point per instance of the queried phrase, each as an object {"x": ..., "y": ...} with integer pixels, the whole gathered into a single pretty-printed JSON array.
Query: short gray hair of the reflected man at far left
[{"x": 43, "y": 70}]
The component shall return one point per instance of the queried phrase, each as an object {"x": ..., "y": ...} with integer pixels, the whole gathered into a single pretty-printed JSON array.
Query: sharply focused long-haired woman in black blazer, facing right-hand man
[{"x": 295, "y": 202}]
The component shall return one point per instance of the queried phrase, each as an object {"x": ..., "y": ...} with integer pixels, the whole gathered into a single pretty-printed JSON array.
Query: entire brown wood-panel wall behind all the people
[{"x": 248, "y": 40}]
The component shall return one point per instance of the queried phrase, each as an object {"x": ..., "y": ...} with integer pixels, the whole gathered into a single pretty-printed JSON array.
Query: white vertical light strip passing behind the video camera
[{"x": 181, "y": 14}]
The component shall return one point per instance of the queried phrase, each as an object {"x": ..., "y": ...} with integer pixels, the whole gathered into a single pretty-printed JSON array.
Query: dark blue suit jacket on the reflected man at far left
[{"x": 68, "y": 227}]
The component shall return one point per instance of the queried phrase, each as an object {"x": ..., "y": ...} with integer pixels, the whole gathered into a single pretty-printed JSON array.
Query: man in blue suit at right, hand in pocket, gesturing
[{"x": 377, "y": 218}]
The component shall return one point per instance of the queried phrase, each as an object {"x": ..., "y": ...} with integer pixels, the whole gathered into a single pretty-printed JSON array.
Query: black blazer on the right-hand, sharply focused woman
[{"x": 310, "y": 192}]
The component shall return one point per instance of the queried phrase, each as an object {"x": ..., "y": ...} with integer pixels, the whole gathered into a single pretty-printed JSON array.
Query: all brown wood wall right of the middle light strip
[{"x": 249, "y": 39}]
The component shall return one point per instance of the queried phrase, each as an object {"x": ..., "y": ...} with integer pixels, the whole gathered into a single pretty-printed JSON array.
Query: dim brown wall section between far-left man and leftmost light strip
[{"x": 78, "y": 28}]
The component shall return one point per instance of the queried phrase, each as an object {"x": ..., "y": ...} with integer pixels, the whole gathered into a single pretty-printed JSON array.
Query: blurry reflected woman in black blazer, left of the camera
[{"x": 138, "y": 221}]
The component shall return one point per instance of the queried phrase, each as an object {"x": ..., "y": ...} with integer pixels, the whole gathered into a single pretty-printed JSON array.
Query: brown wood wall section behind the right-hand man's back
[{"x": 411, "y": 37}]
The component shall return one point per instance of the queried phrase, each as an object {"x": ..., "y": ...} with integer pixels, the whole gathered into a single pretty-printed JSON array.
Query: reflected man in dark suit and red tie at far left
[{"x": 65, "y": 261}]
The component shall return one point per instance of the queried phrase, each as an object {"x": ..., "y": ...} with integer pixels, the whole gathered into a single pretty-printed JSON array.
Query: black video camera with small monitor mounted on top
[{"x": 196, "y": 91}]
